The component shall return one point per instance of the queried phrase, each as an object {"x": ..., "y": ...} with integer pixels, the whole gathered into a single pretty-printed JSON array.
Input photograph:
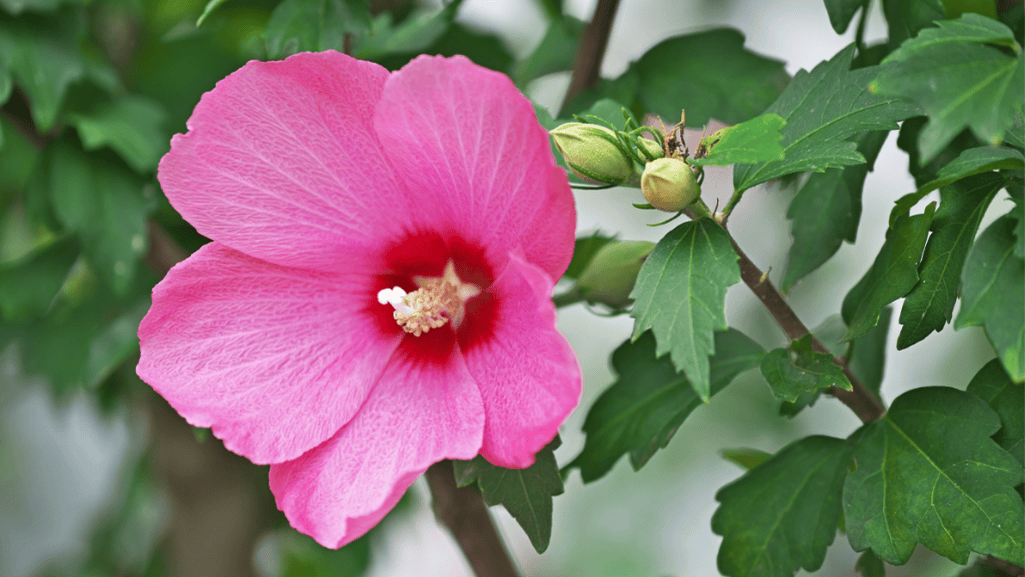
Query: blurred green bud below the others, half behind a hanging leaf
[{"x": 609, "y": 277}]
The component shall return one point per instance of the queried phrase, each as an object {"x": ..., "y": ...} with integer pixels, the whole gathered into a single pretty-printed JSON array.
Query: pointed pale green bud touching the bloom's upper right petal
[{"x": 594, "y": 153}]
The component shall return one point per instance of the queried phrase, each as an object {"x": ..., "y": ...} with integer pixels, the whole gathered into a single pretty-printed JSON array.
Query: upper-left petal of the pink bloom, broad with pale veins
[{"x": 281, "y": 162}]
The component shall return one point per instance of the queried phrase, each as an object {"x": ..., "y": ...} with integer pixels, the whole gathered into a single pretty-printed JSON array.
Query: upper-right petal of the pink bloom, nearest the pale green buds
[{"x": 481, "y": 162}]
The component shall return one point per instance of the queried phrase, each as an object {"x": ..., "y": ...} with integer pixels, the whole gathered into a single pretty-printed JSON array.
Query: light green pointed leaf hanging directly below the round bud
[{"x": 680, "y": 295}]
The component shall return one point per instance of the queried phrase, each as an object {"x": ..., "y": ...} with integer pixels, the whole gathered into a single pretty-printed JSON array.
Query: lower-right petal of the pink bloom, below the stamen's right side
[{"x": 528, "y": 376}]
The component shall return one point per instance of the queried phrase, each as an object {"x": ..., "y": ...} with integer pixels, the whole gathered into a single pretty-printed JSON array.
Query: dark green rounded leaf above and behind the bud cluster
[{"x": 711, "y": 75}]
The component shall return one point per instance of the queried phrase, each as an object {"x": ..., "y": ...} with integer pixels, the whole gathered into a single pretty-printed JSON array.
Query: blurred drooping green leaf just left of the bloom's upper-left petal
[{"x": 105, "y": 204}]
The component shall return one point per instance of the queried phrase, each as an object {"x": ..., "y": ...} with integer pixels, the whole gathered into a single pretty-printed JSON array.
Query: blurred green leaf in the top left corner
[{"x": 44, "y": 64}]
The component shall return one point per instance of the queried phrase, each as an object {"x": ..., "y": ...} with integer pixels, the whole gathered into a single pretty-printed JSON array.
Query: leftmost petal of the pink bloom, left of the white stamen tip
[{"x": 275, "y": 360}]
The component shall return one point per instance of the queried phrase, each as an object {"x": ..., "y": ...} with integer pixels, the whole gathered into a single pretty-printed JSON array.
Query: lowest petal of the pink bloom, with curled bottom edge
[{"x": 419, "y": 415}]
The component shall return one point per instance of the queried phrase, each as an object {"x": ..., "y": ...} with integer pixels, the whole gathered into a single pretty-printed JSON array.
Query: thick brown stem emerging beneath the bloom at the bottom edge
[{"x": 464, "y": 512}]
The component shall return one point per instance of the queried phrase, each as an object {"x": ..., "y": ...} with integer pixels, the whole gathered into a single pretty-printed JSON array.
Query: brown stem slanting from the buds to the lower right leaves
[{"x": 860, "y": 400}]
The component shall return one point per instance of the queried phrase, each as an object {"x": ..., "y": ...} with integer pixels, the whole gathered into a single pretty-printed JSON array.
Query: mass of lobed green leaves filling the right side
[{"x": 942, "y": 468}]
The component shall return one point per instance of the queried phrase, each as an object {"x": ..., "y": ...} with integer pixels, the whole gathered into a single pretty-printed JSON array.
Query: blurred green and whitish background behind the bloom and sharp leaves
[{"x": 99, "y": 477}]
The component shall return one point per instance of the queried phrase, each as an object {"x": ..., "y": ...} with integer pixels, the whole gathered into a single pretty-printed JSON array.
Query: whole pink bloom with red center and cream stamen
[{"x": 378, "y": 294}]
